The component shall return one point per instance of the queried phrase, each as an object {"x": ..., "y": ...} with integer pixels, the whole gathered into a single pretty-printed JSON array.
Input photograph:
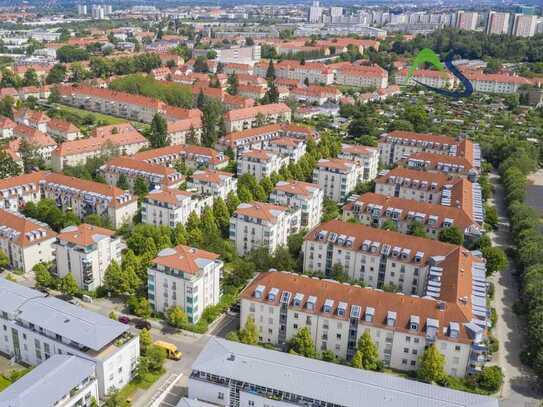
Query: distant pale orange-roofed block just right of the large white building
[{"x": 314, "y": 72}]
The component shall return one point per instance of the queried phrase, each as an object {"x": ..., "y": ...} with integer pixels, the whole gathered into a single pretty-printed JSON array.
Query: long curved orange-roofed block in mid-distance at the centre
[{"x": 259, "y": 138}]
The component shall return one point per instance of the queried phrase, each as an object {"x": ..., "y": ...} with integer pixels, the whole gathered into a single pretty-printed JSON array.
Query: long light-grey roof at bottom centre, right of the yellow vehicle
[{"x": 324, "y": 381}]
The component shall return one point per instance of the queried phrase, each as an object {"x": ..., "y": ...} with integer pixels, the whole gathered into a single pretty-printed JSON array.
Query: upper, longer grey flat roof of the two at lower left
[{"x": 87, "y": 328}]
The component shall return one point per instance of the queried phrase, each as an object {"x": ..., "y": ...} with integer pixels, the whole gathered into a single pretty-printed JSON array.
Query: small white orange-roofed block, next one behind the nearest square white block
[{"x": 170, "y": 207}]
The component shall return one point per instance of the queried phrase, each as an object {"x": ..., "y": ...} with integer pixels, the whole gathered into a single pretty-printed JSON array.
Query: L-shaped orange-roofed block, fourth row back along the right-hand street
[{"x": 434, "y": 188}]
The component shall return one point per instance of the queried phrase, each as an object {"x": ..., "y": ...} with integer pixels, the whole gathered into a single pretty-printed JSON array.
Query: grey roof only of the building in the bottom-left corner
[{"x": 48, "y": 382}]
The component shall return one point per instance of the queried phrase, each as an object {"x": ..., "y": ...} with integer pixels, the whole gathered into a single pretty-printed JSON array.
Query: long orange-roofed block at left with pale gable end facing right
[{"x": 88, "y": 197}]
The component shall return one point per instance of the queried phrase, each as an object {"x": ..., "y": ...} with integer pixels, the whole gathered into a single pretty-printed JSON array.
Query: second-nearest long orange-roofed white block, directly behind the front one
[{"x": 378, "y": 257}]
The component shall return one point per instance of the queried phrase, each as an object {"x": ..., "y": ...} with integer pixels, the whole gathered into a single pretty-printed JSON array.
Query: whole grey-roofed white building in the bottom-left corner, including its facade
[{"x": 61, "y": 381}]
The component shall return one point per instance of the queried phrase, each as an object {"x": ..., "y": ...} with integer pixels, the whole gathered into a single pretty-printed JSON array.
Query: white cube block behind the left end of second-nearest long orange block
[{"x": 303, "y": 196}]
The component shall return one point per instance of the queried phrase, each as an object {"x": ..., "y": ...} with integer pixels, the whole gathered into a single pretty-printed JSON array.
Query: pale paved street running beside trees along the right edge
[{"x": 520, "y": 388}]
